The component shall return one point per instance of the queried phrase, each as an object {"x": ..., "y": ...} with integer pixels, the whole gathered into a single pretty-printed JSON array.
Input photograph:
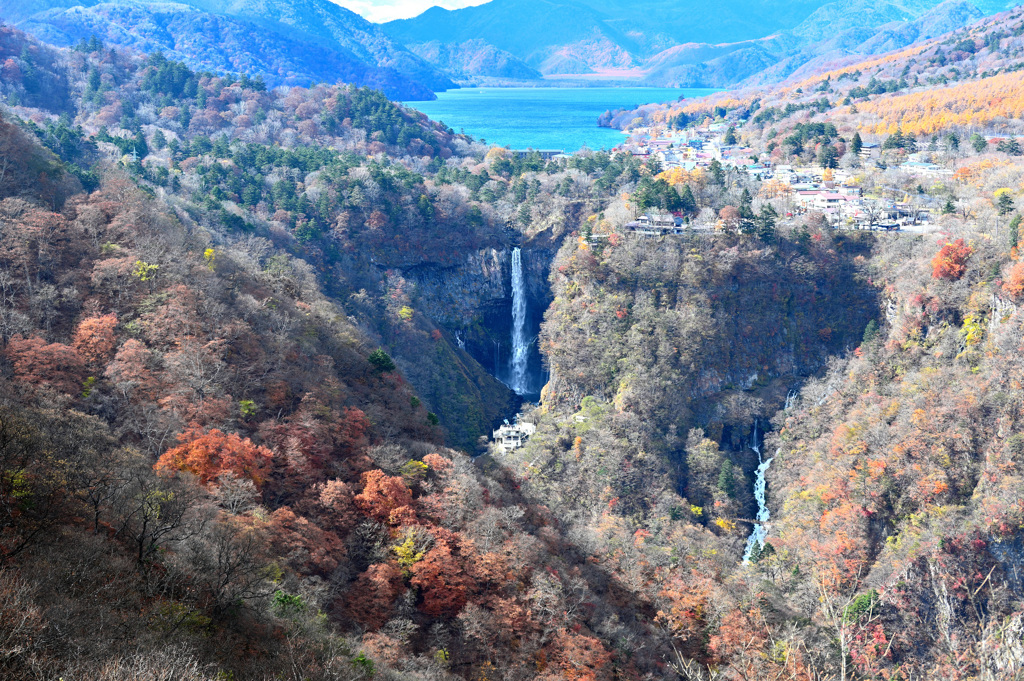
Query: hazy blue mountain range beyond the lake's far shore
[{"x": 688, "y": 45}]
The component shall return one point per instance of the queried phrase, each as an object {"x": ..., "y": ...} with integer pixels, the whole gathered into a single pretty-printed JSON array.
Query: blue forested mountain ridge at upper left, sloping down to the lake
[{"x": 309, "y": 41}]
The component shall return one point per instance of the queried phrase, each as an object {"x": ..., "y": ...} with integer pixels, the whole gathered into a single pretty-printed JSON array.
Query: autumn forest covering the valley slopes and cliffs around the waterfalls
[{"x": 245, "y": 337}]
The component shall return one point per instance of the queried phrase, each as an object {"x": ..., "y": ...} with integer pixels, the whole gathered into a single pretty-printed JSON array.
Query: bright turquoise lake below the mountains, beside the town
[{"x": 543, "y": 117}]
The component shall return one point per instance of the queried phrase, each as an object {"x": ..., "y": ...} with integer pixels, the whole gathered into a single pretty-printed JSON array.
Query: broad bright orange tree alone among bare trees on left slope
[{"x": 208, "y": 455}]
